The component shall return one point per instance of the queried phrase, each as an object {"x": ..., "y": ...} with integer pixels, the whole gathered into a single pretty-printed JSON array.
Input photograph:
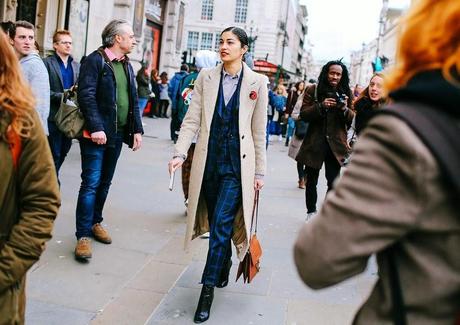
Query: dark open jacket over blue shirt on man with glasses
[{"x": 56, "y": 83}]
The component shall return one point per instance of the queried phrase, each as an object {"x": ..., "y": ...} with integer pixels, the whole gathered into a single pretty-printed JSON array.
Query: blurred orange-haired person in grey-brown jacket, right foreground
[{"x": 398, "y": 198}]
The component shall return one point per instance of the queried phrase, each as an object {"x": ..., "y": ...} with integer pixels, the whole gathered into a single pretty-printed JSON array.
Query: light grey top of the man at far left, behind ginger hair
[{"x": 36, "y": 74}]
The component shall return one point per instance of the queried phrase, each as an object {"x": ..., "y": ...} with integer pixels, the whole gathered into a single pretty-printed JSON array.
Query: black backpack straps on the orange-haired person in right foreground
[{"x": 440, "y": 132}]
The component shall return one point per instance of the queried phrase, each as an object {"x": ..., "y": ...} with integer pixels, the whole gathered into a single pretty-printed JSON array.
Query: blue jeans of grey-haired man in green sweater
[{"x": 98, "y": 163}]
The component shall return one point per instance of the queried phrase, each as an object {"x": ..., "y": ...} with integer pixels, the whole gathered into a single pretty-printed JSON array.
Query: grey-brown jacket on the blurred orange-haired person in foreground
[{"x": 392, "y": 191}]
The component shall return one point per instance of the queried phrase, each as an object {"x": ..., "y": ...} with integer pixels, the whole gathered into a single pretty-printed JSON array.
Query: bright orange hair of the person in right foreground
[{"x": 430, "y": 39}]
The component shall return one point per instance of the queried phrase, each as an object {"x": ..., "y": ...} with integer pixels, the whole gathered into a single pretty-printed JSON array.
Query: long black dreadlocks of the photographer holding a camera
[{"x": 344, "y": 84}]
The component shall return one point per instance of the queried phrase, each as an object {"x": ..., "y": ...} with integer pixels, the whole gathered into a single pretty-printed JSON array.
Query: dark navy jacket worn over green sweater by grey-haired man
[{"x": 97, "y": 93}]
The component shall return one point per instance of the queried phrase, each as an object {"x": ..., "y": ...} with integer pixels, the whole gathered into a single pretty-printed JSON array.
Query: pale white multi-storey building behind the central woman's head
[{"x": 277, "y": 29}]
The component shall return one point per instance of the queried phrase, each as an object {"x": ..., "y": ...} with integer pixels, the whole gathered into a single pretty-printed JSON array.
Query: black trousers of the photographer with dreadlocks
[{"x": 332, "y": 171}]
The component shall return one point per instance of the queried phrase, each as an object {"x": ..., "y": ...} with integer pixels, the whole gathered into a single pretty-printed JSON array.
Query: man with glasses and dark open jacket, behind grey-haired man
[{"x": 63, "y": 73}]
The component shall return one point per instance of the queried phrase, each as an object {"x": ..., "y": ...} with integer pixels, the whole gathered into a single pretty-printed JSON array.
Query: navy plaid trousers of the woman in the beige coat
[{"x": 223, "y": 198}]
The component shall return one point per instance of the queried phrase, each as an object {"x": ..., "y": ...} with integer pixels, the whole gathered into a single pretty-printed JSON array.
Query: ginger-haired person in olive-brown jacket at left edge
[{"x": 29, "y": 193}]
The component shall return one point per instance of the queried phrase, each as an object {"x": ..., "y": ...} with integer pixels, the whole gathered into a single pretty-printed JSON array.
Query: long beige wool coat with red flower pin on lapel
[{"x": 252, "y": 130}]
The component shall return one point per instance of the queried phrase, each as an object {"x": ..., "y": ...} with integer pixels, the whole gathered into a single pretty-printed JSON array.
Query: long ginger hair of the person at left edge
[{"x": 16, "y": 100}]
